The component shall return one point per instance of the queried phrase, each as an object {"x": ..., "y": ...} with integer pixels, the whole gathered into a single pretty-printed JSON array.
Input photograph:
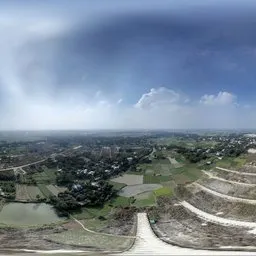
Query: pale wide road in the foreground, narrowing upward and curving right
[{"x": 147, "y": 243}]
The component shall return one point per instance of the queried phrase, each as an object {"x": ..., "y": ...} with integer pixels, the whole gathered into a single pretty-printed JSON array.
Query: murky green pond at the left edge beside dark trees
[{"x": 28, "y": 214}]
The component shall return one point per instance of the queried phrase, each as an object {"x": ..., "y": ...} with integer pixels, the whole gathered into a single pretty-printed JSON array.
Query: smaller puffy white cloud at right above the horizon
[{"x": 222, "y": 98}]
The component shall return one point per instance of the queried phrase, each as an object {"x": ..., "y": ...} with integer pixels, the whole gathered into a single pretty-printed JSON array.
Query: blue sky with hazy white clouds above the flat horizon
[{"x": 137, "y": 64}]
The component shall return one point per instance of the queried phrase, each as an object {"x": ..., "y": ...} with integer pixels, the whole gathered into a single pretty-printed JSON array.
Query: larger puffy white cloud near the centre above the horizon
[{"x": 157, "y": 98}]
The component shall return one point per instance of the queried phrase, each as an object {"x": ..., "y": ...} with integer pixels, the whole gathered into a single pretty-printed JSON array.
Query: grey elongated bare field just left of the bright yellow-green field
[{"x": 134, "y": 190}]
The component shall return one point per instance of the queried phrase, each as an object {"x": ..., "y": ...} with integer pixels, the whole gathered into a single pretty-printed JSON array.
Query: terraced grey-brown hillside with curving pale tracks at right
[{"x": 216, "y": 211}]
